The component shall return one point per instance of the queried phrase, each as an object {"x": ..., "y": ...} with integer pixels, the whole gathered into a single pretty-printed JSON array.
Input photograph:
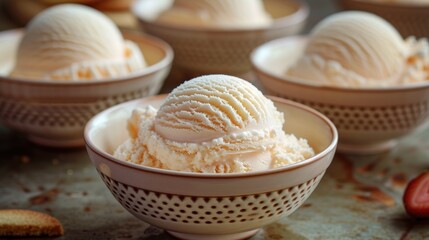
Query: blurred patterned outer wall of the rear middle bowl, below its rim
[{"x": 229, "y": 53}]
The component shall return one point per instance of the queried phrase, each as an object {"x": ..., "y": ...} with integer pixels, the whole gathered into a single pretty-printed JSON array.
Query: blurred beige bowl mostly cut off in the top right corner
[{"x": 409, "y": 19}]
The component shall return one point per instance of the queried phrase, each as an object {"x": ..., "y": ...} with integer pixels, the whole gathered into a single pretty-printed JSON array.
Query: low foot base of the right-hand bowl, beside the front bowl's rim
[{"x": 366, "y": 149}]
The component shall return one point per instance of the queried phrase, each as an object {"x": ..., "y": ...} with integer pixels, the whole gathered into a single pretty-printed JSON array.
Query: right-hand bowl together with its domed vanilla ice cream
[{"x": 356, "y": 69}]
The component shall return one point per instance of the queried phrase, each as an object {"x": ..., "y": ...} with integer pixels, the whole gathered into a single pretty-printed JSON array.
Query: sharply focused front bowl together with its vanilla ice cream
[{"x": 215, "y": 159}]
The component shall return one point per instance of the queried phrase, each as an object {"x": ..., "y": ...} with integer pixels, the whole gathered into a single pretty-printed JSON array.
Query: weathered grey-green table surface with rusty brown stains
[{"x": 358, "y": 198}]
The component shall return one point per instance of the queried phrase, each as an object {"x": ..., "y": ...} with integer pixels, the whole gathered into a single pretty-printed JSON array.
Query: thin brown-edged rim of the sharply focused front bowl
[{"x": 285, "y": 168}]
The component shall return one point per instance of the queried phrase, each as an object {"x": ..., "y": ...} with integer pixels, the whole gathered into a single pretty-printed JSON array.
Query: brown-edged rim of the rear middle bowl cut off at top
[{"x": 297, "y": 17}]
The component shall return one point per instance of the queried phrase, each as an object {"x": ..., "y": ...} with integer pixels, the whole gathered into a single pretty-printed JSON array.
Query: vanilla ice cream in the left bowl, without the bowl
[{"x": 74, "y": 42}]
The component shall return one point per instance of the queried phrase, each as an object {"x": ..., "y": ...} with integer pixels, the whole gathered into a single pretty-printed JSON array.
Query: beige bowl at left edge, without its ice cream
[{"x": 55, "y": 113}]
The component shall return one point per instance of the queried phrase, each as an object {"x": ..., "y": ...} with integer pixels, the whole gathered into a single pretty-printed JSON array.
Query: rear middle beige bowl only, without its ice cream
[{"x": 202, "y": 51}]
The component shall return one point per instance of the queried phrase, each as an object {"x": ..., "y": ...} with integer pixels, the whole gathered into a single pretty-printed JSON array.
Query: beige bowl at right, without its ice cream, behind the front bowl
[{"x": 368, "y": 120}]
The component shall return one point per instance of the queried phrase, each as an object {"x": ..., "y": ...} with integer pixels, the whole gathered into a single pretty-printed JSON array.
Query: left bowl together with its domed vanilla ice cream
[{"x": 70, "y": 63}]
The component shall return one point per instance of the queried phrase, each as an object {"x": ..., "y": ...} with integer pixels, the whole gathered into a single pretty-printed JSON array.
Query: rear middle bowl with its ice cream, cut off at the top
[{"x": 218, "y": 36}]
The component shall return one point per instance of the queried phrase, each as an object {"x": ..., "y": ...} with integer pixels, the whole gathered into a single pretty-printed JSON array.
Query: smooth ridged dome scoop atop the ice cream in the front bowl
[{"x": 213, "y": 107}]
